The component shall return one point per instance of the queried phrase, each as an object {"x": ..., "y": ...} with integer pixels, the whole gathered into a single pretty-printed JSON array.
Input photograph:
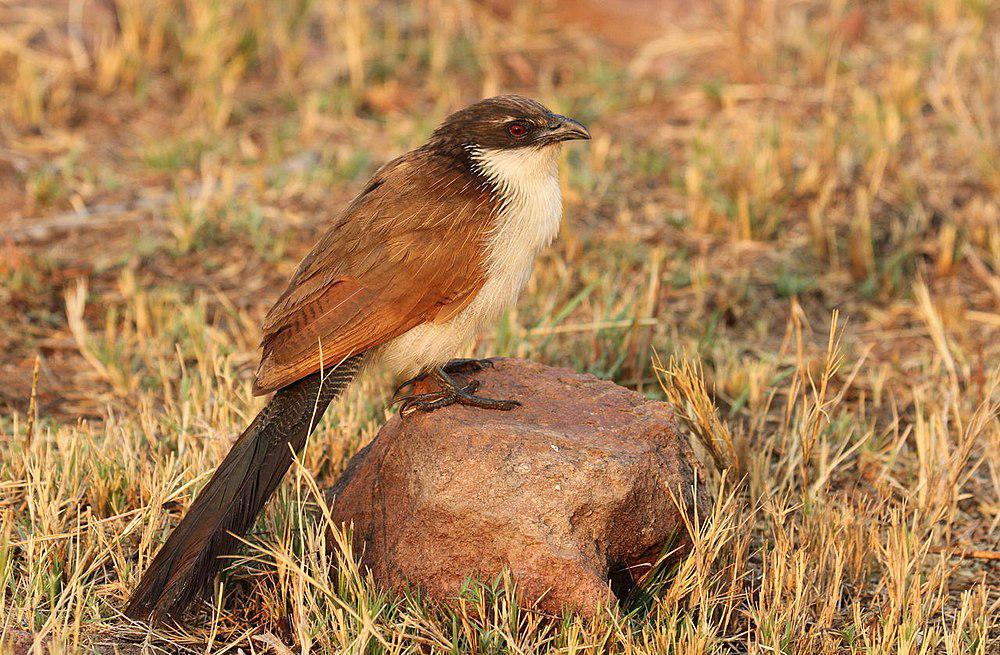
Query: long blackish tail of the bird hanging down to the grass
[{"x": 231, "y": 500}]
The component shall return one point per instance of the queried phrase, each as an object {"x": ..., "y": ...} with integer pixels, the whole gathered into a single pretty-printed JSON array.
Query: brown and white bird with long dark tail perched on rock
[{"x": 438, "y": 244}]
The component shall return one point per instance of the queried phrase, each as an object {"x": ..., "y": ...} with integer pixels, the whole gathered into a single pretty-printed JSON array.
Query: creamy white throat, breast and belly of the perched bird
[{"x": 527, "y": 182}]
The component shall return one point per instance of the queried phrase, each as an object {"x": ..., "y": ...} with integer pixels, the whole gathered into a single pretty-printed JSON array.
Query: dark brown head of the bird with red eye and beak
[{"x": 507, "y": 122}]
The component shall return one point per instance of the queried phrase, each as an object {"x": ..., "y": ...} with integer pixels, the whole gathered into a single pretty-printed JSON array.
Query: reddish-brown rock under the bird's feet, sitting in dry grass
[{"x": 570, "y": 492}]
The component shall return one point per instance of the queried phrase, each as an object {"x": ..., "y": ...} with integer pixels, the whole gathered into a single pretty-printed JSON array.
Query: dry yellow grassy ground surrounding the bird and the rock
[{"x": 793, "y": 203}]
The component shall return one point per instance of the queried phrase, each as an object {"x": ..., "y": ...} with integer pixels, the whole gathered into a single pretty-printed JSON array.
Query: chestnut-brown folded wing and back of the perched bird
[{"x": 405, "y": 252}]
